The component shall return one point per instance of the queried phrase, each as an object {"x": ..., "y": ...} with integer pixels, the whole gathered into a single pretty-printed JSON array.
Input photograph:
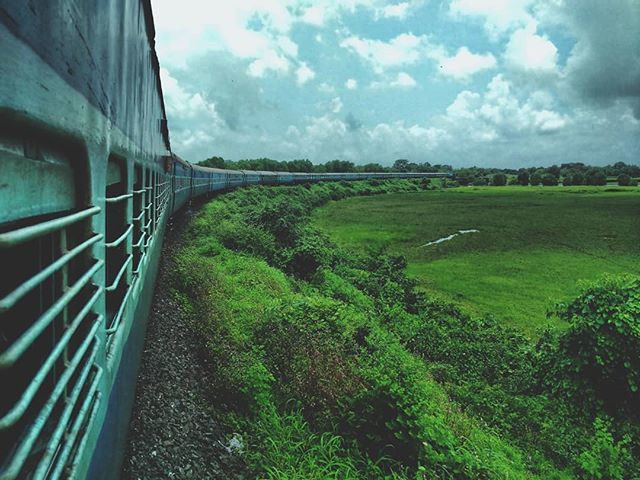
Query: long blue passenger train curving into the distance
[{"x": 88, "y": 181}]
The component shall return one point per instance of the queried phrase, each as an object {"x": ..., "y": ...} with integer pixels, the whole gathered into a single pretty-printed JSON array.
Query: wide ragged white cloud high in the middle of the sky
[{"x": 405, "y": 49}]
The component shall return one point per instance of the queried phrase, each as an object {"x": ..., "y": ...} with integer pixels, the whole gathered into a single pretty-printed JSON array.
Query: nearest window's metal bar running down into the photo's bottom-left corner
[{"x": 22, "y": 451}]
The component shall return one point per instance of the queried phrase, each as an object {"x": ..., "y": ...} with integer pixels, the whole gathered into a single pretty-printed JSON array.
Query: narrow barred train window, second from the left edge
[{"x": 118, "y": 234}]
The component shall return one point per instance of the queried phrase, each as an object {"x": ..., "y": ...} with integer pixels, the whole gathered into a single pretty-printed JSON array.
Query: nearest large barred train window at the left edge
[{"x": 48, "y": 327}]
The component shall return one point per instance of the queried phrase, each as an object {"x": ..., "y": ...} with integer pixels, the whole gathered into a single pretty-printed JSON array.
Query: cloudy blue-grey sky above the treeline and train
[{"x": 490, "y": 83}]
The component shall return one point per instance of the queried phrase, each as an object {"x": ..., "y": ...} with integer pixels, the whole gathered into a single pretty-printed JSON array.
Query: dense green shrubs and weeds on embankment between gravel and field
[{"x": 333, "y": 365}]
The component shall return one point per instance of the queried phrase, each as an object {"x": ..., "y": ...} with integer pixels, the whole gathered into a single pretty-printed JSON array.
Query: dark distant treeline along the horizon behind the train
[{"x": 567, "y": 173}]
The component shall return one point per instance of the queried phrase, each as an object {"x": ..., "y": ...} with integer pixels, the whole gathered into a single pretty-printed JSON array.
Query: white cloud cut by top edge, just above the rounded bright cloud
[{"x": 499, "y": 16}]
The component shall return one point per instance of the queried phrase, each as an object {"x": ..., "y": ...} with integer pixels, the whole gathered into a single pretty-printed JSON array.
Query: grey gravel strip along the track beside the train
[{"x": 174, "y": 431}]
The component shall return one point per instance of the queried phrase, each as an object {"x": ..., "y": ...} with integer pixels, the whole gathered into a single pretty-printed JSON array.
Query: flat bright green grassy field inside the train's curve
[{"x": 534, "y": 243}]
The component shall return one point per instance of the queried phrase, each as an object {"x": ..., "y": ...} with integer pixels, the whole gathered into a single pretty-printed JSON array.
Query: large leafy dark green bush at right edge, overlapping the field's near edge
[{"x": 598, "y": 358}]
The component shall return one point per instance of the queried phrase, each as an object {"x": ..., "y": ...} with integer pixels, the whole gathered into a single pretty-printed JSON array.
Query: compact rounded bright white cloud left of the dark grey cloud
[{"x": 531, "y": 52}]
